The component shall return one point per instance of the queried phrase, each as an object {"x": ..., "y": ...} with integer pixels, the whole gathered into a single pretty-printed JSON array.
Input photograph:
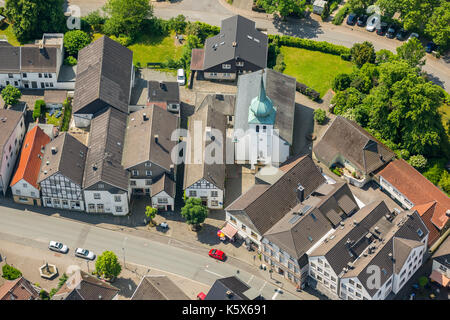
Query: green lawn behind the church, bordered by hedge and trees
[{"x": 314, "y": 68}]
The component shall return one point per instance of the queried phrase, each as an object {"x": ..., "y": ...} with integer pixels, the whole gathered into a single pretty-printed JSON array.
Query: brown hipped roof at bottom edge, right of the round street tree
[{"x": 158, "y": 288}]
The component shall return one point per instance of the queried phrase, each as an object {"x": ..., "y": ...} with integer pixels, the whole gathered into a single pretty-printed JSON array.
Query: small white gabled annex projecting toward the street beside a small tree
[{"x": 163, "y": 193}]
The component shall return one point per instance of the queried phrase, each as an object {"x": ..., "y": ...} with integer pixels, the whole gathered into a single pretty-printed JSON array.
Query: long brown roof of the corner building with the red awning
[{"x": 279, "y": 198}]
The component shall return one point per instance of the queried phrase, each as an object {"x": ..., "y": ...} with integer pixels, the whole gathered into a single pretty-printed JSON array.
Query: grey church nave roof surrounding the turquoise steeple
[{"x": 279, "y": 88}]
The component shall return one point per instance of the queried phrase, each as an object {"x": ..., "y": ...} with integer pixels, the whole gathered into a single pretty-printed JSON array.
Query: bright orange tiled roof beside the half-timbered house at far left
[{"x": 30, "y": 158}]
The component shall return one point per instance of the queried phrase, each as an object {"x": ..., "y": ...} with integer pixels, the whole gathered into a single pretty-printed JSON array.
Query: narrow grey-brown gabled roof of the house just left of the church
[{"x": 215, "y": 172}]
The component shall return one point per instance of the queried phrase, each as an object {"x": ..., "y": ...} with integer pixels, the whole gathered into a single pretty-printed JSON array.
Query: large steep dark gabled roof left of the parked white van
[{"x": 103, "y": 77}]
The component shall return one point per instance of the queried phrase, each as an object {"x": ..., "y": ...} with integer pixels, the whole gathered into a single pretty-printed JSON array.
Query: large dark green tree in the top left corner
[{"x": 31, "y": 19}]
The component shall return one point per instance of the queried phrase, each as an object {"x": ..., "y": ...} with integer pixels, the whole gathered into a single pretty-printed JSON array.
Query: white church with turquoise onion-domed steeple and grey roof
[{"x": 264, "y": 118}]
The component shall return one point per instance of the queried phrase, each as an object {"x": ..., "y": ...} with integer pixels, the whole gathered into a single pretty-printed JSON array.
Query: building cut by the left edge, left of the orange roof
[{"x": 12, "y": 131}]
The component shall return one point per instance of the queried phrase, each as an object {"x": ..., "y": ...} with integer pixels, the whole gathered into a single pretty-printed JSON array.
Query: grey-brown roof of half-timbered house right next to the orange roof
[{"x": 69, "y": 159}]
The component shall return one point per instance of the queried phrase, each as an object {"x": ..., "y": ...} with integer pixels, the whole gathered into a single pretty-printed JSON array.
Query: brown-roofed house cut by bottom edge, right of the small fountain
[{"x": 83, "y": 286}]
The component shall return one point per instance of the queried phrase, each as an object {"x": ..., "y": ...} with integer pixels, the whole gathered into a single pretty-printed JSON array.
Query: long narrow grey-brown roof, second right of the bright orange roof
[{"x": 106, "y": 139}]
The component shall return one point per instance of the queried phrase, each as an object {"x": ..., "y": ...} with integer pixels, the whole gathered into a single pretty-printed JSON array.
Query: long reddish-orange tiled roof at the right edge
[{"x": 417, "y": 189}]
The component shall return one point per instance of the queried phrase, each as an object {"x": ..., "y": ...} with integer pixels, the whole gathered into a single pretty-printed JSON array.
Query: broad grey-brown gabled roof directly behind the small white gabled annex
[{"x": 140, "y": 143}]
